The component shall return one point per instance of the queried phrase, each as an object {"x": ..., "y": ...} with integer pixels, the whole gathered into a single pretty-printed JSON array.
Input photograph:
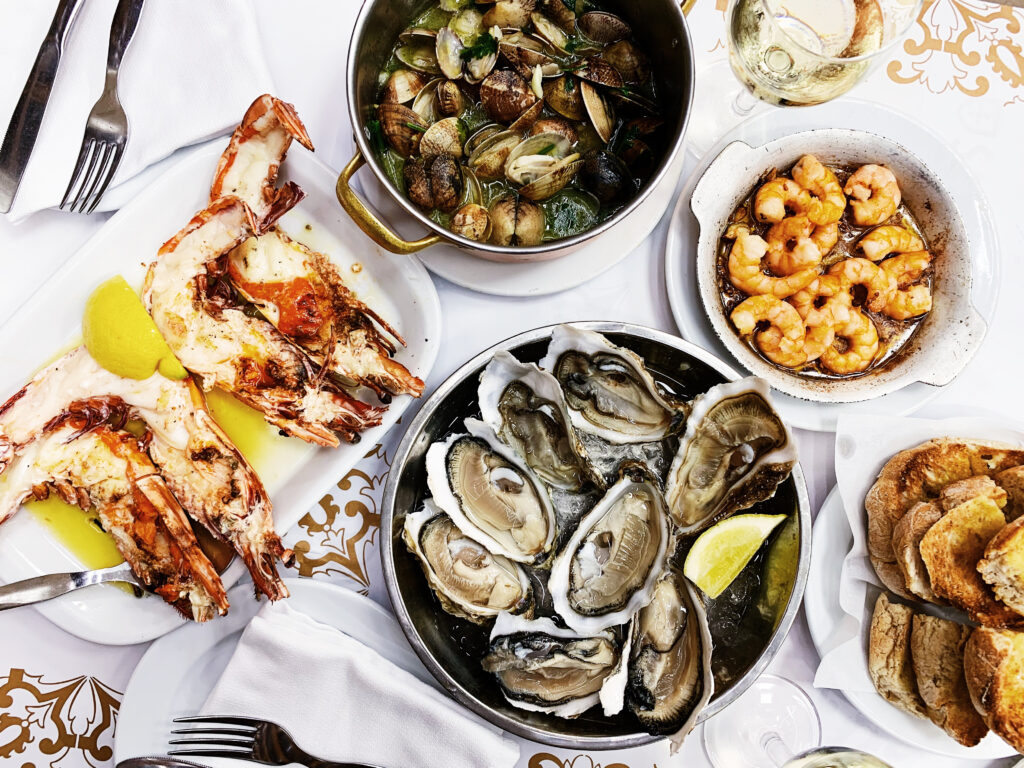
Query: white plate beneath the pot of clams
[{"x": 541, "y": 278}]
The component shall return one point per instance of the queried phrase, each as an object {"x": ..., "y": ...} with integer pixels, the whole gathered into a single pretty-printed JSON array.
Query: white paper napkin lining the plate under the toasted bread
[{"x": 864, "y": 445}]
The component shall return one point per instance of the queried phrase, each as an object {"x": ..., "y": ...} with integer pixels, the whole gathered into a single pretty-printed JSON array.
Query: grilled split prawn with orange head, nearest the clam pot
[{"x": 301, "y": 291}]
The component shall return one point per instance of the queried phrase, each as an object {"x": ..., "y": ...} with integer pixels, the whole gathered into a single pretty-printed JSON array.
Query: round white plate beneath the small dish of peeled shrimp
[{"x": 680, "y": 252}]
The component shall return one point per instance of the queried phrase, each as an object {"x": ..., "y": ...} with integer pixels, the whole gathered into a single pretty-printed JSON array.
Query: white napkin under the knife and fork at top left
[{"x": 190, "y": 73}]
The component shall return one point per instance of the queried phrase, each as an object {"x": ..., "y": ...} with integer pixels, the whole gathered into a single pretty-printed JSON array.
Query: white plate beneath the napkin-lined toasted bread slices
[{"x": 832, "y": 543}]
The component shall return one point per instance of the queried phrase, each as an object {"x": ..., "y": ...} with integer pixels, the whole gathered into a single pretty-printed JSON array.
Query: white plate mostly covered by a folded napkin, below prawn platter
[{"x": 177, "y": 674}]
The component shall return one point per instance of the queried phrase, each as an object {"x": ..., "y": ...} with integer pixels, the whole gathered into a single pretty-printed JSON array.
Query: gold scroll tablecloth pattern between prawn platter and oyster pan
[{"x": 339, "y": 536}]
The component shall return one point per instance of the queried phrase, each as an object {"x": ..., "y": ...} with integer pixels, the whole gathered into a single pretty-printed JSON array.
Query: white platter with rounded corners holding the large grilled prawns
[{"x": 319, "y": 179}]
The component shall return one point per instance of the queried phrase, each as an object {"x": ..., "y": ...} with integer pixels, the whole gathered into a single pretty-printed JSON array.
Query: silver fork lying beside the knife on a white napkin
[{"x": 107, "y": 129}]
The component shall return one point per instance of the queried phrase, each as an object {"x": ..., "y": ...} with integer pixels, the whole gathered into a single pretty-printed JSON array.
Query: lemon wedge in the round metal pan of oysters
[{"x": 721, "y": 552}]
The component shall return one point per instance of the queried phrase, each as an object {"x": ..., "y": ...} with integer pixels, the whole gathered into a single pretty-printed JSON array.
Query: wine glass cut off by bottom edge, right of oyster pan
[{"x": 775, "y": 724}]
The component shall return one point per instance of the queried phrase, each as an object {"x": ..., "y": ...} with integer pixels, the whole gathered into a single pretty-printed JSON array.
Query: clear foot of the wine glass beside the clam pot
[{"x": 720, "y": 104}]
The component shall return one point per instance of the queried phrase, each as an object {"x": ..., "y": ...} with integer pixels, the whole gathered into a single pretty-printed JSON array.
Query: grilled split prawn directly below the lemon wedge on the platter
[{"x": 205, "y": 472}]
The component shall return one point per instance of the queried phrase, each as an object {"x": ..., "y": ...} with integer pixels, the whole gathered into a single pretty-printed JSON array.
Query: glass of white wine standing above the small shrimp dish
[{"x": 794, "y": 54}]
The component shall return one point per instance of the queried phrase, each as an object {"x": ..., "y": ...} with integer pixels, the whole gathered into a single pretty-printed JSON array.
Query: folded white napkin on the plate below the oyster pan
[{"x": 343, "y": 701}]
